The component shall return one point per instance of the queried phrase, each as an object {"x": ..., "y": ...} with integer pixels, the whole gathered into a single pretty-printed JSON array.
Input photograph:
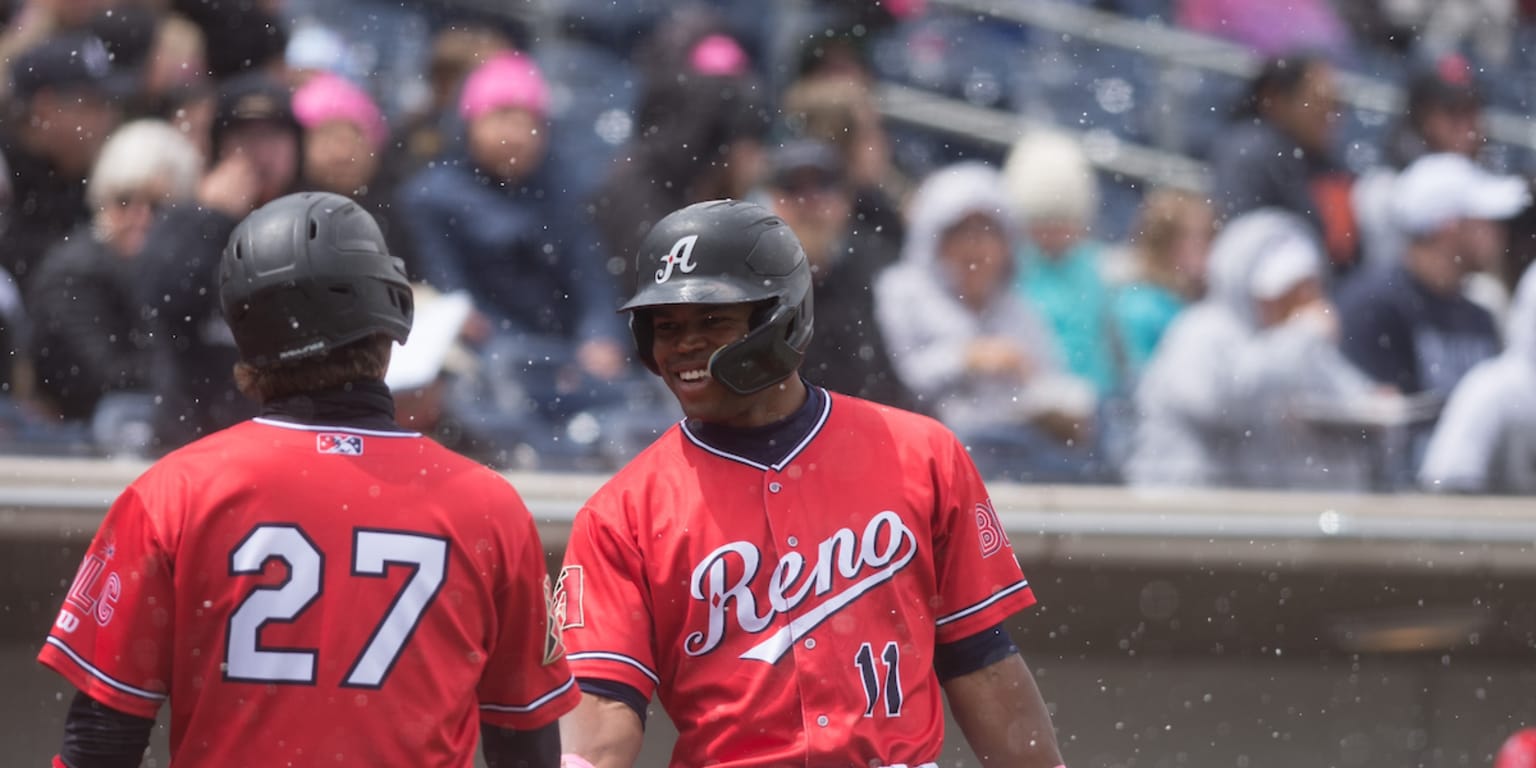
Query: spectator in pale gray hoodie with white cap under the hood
[{"x": 1236, "y": 391}]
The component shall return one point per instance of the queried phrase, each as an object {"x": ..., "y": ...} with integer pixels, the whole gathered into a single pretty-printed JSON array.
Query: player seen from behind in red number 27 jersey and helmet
[{"x": 316, "y": 586}]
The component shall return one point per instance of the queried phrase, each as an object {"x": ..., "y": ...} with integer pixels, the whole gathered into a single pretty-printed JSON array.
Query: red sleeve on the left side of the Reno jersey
[{"x": 606, "y": 614}]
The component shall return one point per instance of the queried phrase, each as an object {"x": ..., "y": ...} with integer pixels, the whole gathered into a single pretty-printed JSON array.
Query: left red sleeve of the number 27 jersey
[{"x": 113, "y": 638}]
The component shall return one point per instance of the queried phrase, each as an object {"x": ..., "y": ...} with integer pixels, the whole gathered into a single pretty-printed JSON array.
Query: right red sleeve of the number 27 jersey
[{"x": 526, "y": 684}]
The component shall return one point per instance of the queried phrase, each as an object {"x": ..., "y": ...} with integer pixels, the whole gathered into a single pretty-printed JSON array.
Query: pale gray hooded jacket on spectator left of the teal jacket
[{"x": 927, "y": 326}]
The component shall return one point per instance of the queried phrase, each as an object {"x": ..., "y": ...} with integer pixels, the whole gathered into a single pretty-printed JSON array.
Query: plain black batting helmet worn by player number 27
[{"x": 308, "y": 274}]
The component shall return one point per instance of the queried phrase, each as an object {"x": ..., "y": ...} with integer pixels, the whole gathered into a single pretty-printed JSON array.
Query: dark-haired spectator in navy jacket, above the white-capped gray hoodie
[{"x": 1280, "y": 153}]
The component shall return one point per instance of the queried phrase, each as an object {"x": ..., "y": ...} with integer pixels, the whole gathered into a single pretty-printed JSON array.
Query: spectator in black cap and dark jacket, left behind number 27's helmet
[{"x": 257, "y": 159}]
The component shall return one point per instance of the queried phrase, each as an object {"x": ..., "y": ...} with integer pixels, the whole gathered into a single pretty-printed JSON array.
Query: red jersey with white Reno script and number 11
[{"x": 789, "y": 614}]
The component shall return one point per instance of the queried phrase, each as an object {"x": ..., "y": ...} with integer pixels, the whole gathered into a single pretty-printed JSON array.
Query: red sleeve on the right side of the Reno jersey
[{"x": 979, "y": 578}]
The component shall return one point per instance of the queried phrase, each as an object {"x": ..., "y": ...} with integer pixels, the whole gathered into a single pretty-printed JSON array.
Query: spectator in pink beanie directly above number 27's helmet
[{"x": 345, "y": 136}]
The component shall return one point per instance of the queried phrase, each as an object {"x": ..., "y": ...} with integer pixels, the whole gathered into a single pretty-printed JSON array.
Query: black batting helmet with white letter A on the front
[{"x": 729, "y": 253}]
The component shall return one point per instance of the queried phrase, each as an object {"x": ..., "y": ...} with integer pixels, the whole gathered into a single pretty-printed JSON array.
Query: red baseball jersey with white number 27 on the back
[{"x": 317, "y": 597}]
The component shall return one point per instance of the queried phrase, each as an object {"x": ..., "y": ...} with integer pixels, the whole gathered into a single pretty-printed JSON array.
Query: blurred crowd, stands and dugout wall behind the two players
[{"x": 1231, "y": 300}]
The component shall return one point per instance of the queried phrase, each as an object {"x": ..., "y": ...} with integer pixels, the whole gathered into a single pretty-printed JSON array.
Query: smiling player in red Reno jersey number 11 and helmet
[{"x": 798, "y": 575}]
